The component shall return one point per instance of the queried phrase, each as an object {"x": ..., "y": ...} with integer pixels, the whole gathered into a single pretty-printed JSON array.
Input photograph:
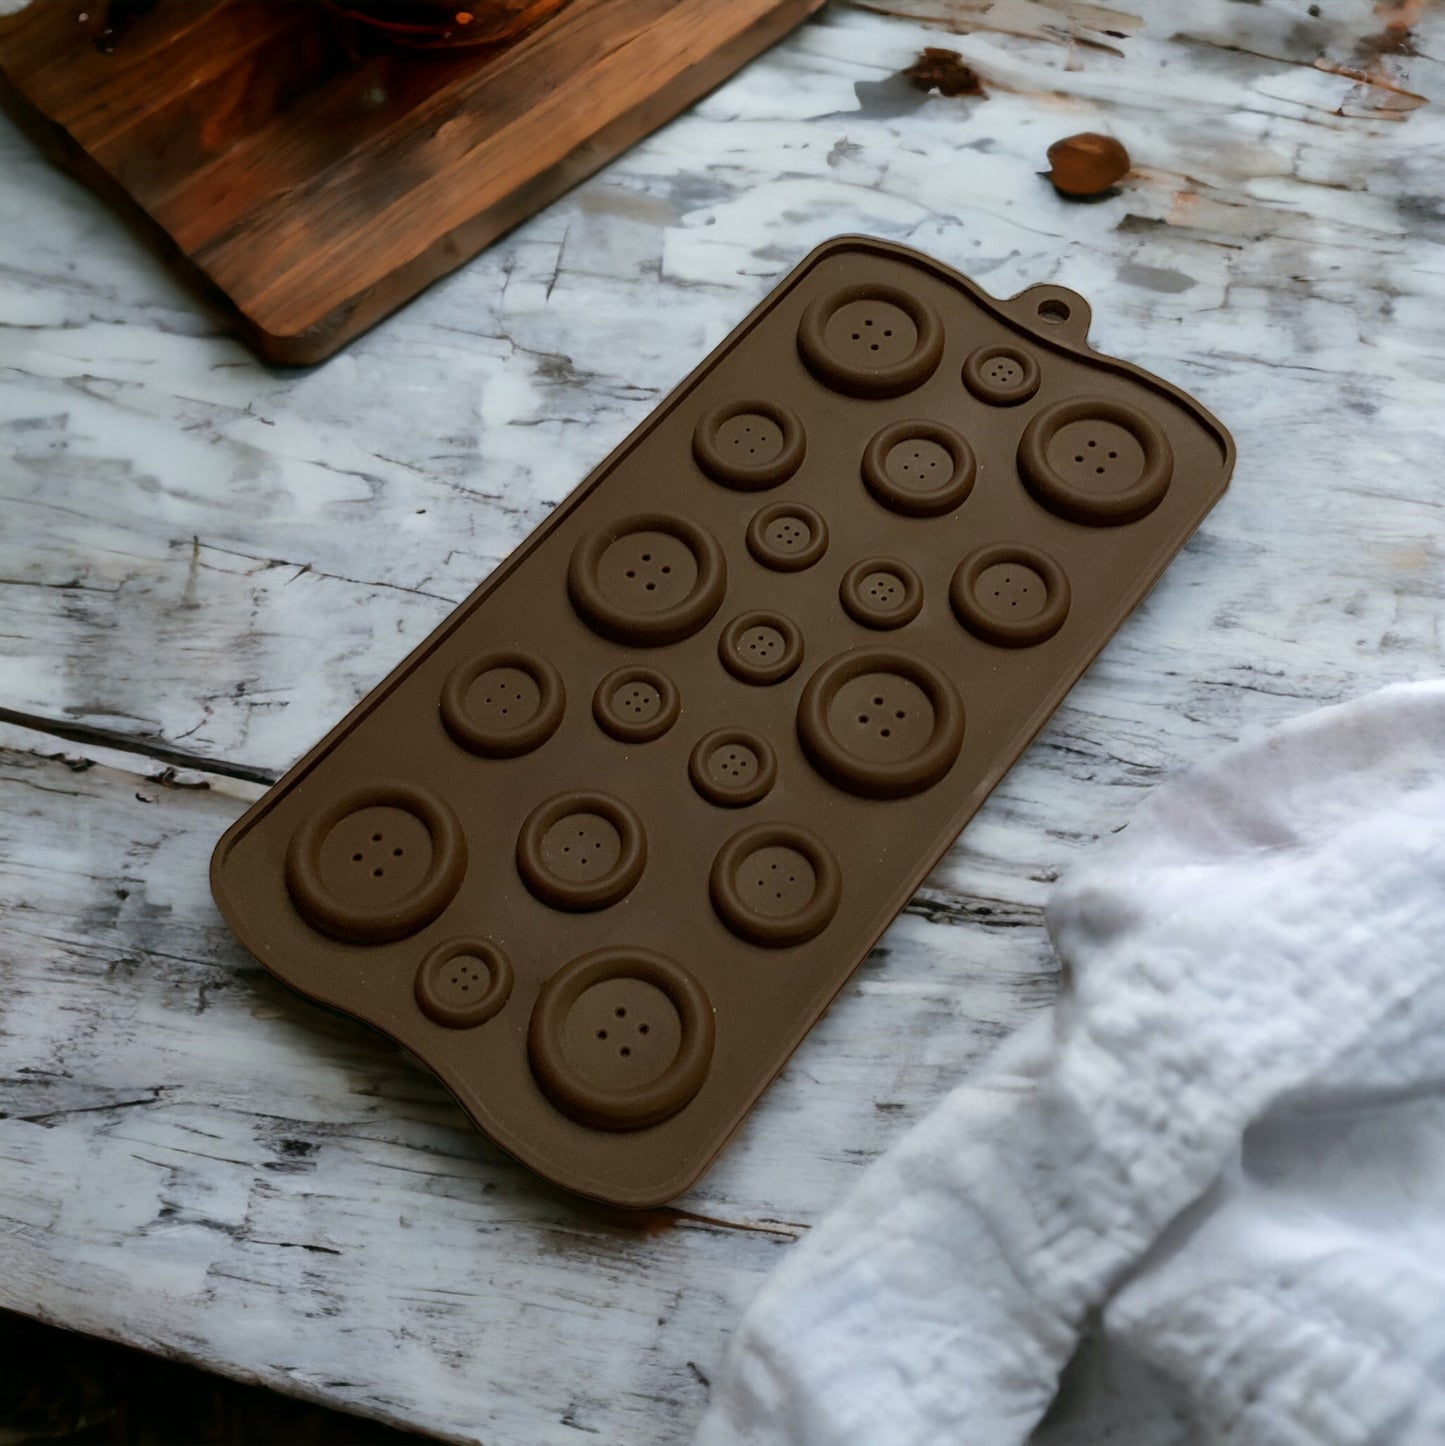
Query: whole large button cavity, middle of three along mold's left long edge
[{"x": 649, "y": 579}]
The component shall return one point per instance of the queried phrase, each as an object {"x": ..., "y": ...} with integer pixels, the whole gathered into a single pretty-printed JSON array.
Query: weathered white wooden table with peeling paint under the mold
[{"x": 205, "y": 563}]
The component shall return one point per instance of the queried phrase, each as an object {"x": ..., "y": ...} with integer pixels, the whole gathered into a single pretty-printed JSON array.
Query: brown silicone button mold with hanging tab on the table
[{"x": 604, "y": 848}]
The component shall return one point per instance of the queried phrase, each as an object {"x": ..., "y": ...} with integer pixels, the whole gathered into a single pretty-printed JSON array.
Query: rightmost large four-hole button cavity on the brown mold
[{"x": 1096, "y": 462}]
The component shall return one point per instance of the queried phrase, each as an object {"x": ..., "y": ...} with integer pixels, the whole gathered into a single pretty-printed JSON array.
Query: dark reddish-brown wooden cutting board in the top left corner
[{"x": 312, "y": 190}]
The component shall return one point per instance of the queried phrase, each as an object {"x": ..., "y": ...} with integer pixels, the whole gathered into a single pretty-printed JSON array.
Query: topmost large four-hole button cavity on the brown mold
[{"x": 871, "y": 339}]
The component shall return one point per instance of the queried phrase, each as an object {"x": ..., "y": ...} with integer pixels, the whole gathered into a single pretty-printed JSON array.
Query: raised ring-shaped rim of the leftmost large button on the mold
[{"x": 381, "y": 925}]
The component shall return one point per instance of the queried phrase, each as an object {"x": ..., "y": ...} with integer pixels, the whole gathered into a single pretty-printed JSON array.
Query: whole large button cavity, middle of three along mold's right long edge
[{"x": 880, "y": 724}]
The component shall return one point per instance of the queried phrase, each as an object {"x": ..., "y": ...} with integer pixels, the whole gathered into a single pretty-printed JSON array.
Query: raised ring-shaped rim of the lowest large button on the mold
[{"x": 623, "y": 1108}]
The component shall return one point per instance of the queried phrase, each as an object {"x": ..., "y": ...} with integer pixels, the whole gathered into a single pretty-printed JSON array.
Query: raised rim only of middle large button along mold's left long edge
[{"x": 649, "y": 630}]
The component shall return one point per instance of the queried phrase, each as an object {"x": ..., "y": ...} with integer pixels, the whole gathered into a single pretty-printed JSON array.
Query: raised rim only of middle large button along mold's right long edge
[{"x": 866, "y": 777}]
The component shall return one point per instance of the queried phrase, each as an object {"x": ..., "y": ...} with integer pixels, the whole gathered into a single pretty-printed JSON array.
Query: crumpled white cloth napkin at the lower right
[{"x": 1220, "y": 1160}]
